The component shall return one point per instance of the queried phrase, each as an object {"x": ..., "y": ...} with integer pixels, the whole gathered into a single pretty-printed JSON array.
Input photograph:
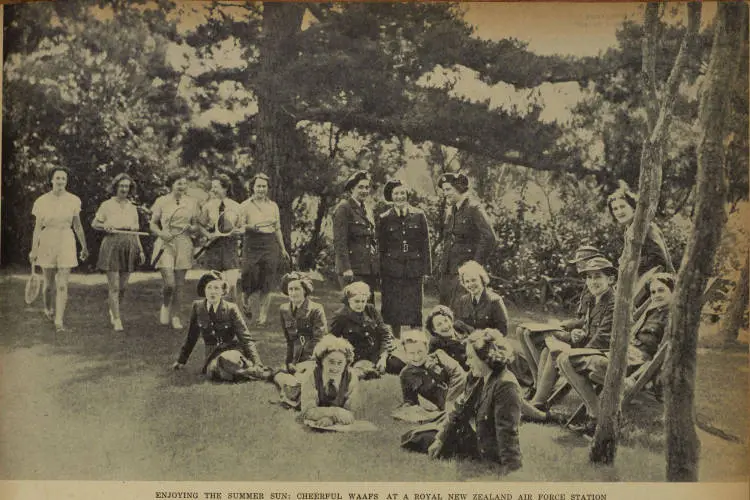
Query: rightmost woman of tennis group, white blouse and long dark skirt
[{"x": 262, "y": 247}]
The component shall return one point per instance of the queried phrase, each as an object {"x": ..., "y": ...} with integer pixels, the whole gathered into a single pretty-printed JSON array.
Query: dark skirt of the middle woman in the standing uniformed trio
[{"x": 402, "y": 300}]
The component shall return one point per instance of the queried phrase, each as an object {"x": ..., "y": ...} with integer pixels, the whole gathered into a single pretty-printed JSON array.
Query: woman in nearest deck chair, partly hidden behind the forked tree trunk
[{"x": 585, "y": 369}]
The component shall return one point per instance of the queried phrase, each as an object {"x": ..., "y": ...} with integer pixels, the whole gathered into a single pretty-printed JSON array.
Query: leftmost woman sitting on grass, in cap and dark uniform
[{"x": 231, "y": 353}]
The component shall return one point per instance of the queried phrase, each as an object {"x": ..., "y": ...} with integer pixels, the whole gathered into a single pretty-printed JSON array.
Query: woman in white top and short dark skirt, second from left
[{"x": 119, "y": 251}]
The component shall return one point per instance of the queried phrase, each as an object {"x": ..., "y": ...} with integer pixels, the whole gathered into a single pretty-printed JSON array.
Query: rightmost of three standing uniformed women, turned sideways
[{"x": 467, "y": 234}]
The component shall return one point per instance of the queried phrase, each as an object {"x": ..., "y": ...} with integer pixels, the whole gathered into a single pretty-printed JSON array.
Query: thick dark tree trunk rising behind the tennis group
[{"x": 277, "y": 134}]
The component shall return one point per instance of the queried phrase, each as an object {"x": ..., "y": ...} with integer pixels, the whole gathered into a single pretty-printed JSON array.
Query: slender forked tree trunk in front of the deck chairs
[{"x": 604, "y": 446}]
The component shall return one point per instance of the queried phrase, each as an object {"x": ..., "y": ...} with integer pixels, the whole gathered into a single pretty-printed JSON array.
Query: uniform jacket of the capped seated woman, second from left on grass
[{"x": 303, "y": 329}]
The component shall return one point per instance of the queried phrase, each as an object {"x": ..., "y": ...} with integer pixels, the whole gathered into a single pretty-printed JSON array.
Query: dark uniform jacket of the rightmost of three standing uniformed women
[{"x": 467, "y": 235}]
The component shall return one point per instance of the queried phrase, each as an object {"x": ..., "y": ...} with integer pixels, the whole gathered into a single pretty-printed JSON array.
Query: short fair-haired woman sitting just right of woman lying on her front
[{"x": 436, "y": 377}]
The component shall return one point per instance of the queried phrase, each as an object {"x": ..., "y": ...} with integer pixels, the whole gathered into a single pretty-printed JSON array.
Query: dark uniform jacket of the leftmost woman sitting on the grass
[{"x": 227, "y": 331}]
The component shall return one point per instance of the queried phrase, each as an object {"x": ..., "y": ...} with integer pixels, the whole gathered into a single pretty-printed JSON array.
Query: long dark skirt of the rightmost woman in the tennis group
[{"x": 260, "y": 262}]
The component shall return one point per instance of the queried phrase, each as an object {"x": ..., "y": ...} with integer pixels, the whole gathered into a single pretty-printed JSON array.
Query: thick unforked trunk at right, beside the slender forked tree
[{"x": 683, "y": 445}]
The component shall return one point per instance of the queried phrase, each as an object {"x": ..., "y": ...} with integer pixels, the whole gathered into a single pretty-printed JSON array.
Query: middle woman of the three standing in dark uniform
[{"x": 404, "y": 243}]
